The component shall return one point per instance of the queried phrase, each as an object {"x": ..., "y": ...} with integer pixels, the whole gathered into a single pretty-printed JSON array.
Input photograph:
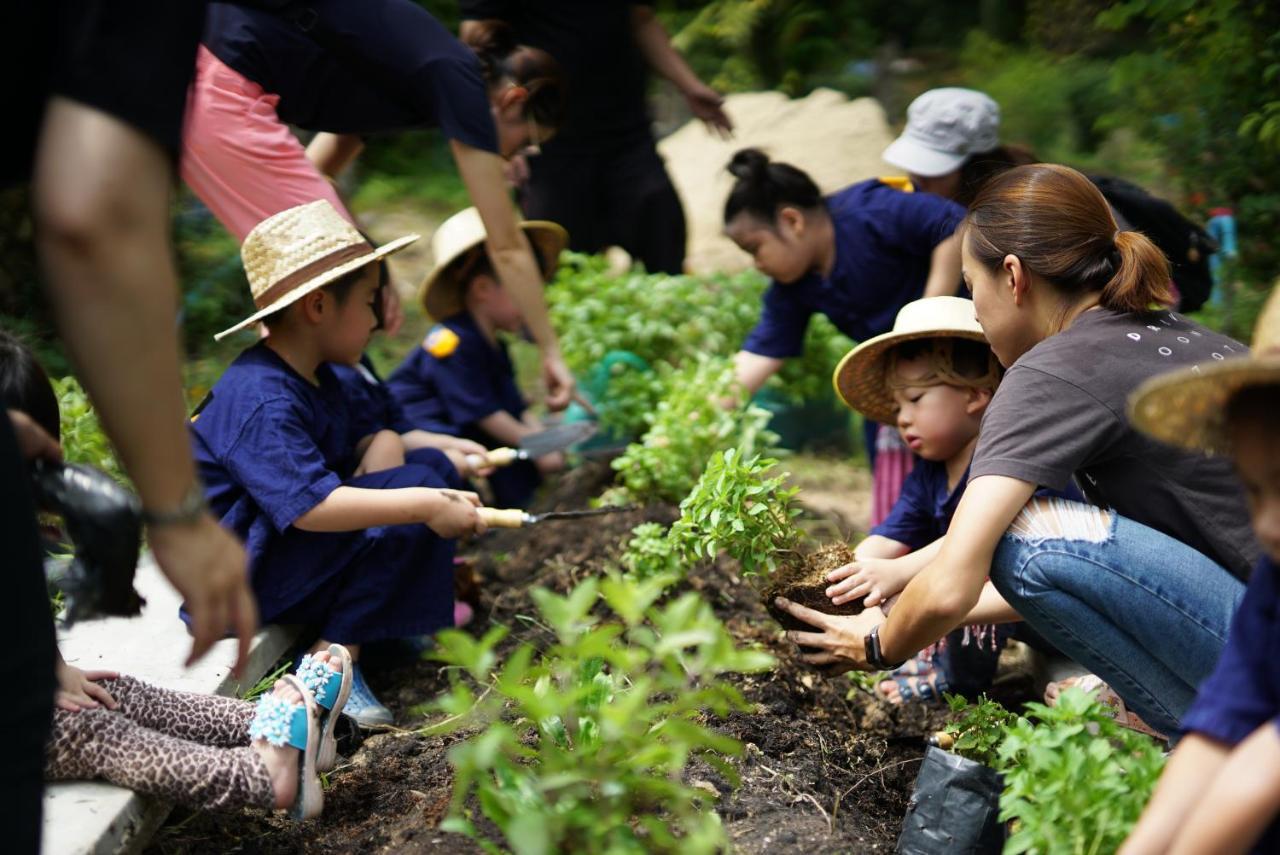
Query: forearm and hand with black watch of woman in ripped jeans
[{"x": 939, "y": 600}]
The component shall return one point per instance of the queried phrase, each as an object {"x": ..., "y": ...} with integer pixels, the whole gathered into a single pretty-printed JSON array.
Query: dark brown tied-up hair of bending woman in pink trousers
[{"x": 532, "y": 68}]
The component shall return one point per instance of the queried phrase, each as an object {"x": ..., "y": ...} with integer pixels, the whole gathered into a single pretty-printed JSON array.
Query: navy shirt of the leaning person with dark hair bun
[{"x": 884, "y": 243}]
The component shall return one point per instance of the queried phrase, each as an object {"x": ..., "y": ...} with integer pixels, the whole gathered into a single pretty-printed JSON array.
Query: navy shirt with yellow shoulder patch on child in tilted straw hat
[{"x": 455, "y": 380}]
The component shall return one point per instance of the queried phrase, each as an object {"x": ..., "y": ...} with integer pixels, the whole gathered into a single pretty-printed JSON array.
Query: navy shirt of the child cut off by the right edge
[{"x": 1244, "y": 693}]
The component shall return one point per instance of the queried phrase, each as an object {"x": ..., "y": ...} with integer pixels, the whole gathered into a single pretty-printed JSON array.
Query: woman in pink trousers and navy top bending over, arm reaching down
[{"x": 349, "y": 70}]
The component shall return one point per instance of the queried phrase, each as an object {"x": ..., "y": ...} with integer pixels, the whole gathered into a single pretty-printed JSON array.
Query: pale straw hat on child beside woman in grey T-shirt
[{"x": 861, "y": 378}]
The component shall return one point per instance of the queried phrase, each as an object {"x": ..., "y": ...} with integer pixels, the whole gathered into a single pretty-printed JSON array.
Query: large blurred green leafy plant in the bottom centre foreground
[{"x": 584, "y": 748}]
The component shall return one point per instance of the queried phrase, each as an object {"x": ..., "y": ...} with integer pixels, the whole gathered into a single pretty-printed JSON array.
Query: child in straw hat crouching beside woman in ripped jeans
[{"x": 934, "y": 377}]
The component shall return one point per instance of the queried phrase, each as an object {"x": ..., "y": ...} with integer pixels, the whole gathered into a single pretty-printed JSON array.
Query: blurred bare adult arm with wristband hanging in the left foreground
[{"x": 102, "y": 200}]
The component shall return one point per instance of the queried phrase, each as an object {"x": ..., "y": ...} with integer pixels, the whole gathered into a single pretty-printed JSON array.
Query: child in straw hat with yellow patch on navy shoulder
[{"x": 461, "y": 381}]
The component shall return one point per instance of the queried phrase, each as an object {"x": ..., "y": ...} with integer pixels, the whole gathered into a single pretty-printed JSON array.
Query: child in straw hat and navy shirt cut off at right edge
[{"x": 1220, "y": 792}]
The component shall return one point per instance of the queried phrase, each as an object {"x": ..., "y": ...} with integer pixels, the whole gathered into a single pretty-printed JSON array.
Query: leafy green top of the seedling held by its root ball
[{"x": 737, "y": 507}]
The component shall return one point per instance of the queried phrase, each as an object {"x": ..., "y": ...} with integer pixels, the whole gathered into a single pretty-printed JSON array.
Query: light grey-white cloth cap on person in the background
[{"x": 944, "y": 127}]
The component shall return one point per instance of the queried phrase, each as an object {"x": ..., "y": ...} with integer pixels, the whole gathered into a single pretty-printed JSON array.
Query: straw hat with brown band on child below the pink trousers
[{"x": 300, "y": 250}]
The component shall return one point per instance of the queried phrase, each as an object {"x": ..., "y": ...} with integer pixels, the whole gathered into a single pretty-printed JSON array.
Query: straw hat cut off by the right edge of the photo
[{"x": 1188, "y": 408}]
